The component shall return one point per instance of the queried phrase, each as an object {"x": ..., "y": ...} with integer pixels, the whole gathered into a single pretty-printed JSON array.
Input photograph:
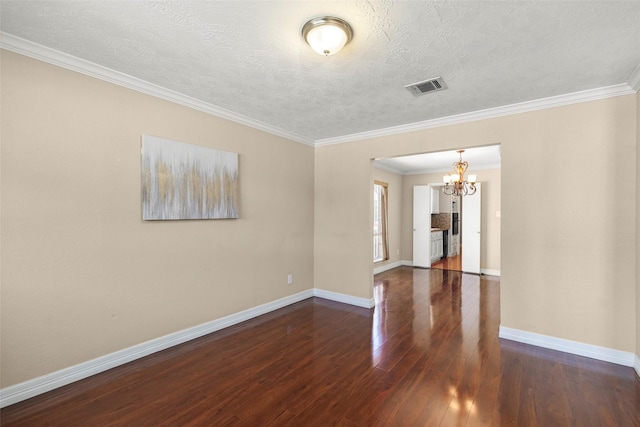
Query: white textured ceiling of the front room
[{"x": 248, "y": 56}]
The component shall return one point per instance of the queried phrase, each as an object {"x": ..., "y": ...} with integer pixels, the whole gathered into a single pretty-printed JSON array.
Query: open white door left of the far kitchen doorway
[{"x": 422, "y": 226}]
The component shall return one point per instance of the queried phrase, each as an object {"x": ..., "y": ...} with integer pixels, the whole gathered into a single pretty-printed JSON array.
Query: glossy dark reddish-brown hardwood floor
[{"x": 428, "y": 355}]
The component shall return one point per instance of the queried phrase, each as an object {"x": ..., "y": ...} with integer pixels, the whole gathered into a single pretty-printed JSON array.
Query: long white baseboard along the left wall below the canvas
[{"x": 25, "y": 390}]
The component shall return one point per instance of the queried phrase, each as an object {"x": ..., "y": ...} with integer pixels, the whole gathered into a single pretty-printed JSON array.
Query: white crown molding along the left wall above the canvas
[{"x": 34, "y": 50}]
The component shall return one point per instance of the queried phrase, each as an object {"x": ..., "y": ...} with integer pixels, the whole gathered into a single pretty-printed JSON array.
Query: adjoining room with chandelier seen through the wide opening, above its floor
[{"x": 447, "y": 215}]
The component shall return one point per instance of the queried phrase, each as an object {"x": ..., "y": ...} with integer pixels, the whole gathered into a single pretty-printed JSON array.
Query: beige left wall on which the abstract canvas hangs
[{"x": 82, "y": 274}]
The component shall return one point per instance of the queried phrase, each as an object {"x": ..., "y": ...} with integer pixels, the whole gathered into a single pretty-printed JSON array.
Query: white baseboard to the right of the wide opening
[{"x": 573, "y": 347}]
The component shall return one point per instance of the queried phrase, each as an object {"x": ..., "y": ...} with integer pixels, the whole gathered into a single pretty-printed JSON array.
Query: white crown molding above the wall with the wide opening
[{"x": 522, "y": 107}]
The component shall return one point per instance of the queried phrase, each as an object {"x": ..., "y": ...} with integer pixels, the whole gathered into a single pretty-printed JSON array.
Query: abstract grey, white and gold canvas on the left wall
[{"x": 186, "y": 181}]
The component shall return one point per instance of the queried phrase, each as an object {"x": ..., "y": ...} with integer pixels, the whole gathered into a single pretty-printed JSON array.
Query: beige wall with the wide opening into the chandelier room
[{"x": 567, "y": 260}]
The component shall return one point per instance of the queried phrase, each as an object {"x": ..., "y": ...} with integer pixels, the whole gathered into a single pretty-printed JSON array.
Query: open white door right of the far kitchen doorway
[{"x": 471, "y": 215}]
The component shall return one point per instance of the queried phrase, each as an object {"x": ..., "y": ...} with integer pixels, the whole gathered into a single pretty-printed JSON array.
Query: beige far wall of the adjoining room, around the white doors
[{"x": 490, "y": 224}]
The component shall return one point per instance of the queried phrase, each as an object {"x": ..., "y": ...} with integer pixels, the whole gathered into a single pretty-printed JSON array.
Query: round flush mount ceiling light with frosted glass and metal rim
[{"x": 327, "y": 34}]
